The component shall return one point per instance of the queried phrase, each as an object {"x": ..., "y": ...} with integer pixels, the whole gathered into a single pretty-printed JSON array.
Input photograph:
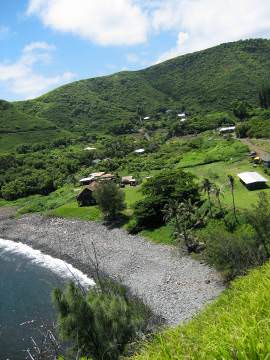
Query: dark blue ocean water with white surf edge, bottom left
[{"x": 27, "y": 278}]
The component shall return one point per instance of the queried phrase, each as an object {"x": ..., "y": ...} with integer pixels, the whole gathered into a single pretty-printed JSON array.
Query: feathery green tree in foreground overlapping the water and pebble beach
[{"x": 100, "y": 323}]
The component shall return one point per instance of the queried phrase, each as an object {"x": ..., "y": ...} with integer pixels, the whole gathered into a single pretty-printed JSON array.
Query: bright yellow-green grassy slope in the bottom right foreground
[{"x": 236, "y": 326}]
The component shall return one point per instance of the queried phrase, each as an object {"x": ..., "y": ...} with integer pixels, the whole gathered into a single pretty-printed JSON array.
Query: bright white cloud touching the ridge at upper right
[{"x": 211, "y": 22}]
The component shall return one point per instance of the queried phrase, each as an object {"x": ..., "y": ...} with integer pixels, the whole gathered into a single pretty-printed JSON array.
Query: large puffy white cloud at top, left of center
[{"x": 106, "y": 22}]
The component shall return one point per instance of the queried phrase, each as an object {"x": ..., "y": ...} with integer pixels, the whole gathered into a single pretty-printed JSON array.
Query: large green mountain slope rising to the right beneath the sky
[{"x": 203, "y": 81}]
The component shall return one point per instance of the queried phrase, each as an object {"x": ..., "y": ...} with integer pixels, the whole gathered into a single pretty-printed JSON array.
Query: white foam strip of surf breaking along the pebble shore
[{"x": 60, "y": 267}]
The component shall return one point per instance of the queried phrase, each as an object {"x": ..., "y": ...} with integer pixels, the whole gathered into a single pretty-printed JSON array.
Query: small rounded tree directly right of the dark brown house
[{"x": 110, "y": 199}]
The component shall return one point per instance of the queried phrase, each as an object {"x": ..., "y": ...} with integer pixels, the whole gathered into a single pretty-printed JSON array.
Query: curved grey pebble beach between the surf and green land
[{"x": 175, "y": 288}]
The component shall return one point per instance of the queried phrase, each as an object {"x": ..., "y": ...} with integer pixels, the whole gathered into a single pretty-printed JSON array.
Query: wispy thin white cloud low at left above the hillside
[{"x": 20, "y": 77}]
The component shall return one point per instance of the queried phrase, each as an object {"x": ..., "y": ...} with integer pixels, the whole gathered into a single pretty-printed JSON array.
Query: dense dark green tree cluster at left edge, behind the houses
[{"x": 39, "y": 173}]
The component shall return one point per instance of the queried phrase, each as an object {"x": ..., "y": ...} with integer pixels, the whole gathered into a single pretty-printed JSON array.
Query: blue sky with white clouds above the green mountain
[{"x": 47, "y": 43}]
